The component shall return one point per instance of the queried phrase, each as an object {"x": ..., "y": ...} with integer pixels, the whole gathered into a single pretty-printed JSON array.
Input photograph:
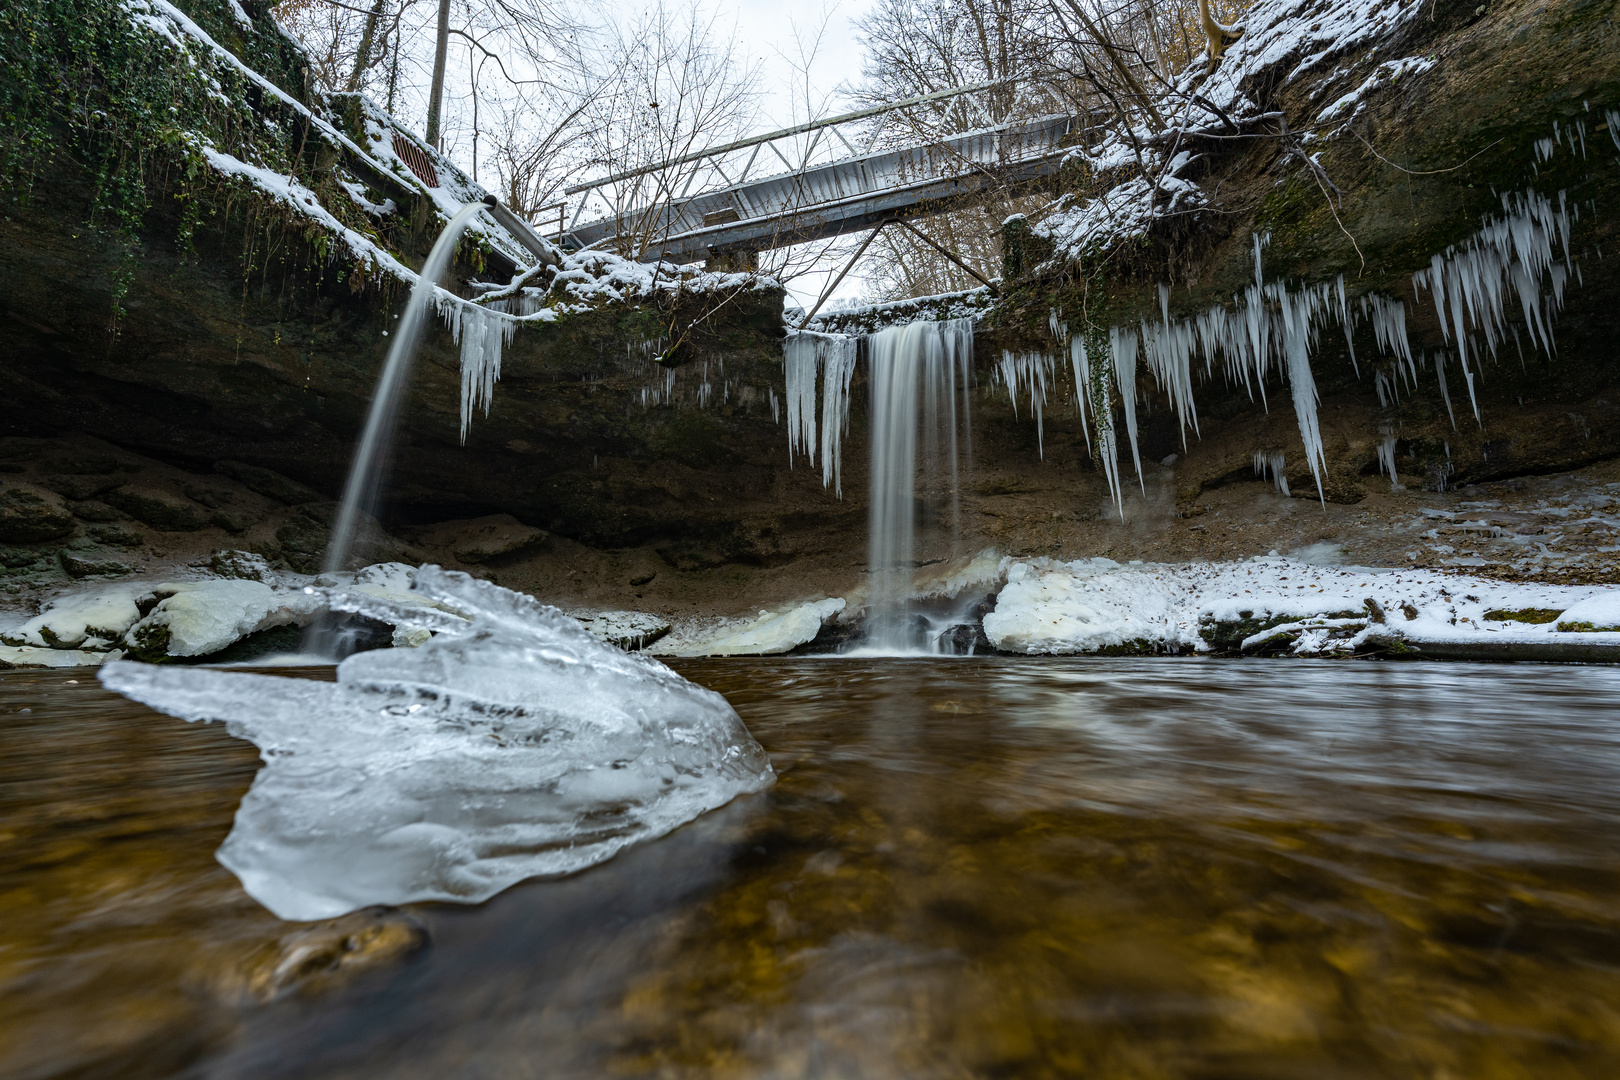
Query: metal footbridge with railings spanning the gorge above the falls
[{"x": 812, "y": 198}]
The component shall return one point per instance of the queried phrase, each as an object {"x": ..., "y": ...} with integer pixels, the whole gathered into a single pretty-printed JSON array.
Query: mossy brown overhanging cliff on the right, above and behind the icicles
[{"x": 1378, "y": 159}]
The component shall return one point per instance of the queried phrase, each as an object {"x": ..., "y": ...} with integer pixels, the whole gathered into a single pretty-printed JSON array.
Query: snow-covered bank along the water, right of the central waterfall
[{"x": 1271, "y": 606}]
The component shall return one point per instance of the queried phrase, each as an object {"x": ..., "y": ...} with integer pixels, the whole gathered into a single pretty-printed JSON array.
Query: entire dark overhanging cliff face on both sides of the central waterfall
[{"x": 223, "y": 330}]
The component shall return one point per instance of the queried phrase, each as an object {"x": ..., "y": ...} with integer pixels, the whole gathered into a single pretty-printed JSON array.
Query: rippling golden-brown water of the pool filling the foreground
[{"x": 970, "y": 869}]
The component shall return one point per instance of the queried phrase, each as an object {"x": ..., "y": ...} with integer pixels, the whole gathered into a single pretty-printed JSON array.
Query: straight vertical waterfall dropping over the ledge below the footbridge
[{"x": 918, "y": 372}]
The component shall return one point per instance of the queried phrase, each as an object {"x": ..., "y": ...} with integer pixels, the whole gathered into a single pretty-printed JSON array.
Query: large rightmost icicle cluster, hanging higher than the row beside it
[{"x": 1470, "y": 283}]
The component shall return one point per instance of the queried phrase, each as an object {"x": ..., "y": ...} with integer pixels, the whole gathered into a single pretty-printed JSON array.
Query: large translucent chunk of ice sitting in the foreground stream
[{"x": 513, "y": 749}]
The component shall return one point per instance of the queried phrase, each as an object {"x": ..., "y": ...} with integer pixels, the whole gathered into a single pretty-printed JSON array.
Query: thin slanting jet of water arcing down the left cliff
[{"x": 367, "y": 472}]
